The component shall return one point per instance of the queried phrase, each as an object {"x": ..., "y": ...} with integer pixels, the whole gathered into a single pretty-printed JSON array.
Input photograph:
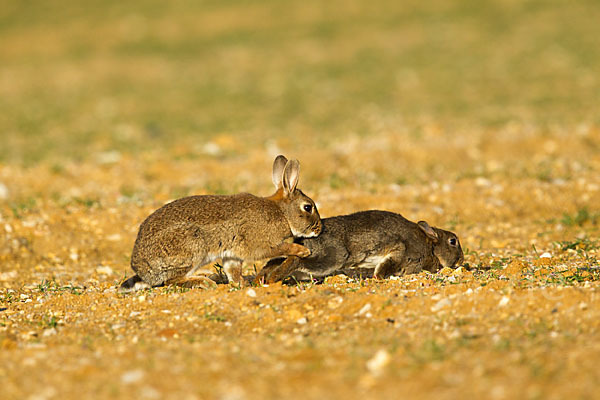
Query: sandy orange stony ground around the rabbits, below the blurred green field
[{"x": 520, "y": 319}]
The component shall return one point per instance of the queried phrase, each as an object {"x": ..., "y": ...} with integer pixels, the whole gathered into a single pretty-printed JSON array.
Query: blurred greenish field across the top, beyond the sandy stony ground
[{"x": 190, "y": 77}]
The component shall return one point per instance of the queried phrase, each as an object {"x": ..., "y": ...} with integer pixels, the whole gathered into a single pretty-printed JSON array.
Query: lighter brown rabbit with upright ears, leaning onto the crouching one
[{"x": 181, "y": 236}]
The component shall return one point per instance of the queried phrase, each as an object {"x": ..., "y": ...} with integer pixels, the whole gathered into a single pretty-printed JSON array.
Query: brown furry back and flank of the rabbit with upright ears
[{"x": 207, "y": 224}]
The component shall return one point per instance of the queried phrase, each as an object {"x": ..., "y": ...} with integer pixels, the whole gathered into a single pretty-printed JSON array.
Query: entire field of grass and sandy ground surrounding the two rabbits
[{"x": 478, "y": 118}]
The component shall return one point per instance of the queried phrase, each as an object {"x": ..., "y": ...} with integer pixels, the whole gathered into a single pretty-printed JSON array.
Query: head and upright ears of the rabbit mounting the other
[{"x": 299, "y": 209}]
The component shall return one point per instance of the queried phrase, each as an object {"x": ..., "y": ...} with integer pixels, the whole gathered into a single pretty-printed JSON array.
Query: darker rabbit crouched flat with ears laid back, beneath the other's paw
[{"x": 372, "y": 244}]
